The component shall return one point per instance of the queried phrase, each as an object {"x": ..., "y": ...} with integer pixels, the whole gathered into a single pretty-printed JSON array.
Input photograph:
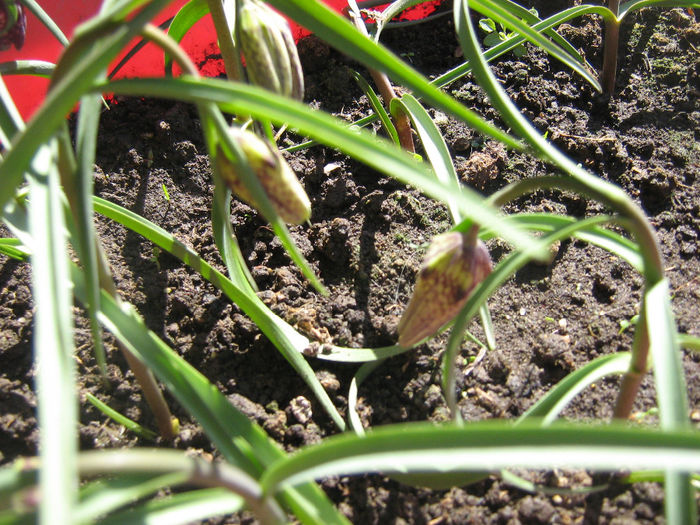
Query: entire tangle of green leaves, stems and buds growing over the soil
[{"x": 48, "y": 202}]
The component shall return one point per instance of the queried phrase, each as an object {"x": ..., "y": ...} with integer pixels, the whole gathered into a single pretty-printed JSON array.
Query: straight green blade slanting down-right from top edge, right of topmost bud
[{"x": 341, "y": 34}]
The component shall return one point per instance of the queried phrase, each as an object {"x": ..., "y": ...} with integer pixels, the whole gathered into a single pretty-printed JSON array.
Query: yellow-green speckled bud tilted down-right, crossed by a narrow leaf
[{"x": 276, "y": 177}]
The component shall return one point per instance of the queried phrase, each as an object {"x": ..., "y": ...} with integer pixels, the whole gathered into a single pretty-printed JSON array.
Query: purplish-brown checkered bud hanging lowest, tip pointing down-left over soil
[{"x": 452, "y": 268}]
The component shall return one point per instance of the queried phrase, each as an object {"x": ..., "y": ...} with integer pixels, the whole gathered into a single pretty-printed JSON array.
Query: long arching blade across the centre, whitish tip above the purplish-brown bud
[{"x": 378, "y": 153}]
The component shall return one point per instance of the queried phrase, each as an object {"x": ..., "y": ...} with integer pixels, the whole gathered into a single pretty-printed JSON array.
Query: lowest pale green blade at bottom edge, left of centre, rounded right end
[{"x": 184, "y": 508}]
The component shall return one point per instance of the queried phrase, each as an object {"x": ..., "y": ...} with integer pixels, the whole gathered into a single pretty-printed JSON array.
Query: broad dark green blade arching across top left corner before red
[{"x": 95, "y": 44}]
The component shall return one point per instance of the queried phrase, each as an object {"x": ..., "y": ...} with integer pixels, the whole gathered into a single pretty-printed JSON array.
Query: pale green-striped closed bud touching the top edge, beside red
[{"x": 271, "y": 56}]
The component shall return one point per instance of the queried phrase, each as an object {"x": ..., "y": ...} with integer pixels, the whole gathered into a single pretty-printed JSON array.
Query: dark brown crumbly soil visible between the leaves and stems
[{"x": 366, "y": 238}]
